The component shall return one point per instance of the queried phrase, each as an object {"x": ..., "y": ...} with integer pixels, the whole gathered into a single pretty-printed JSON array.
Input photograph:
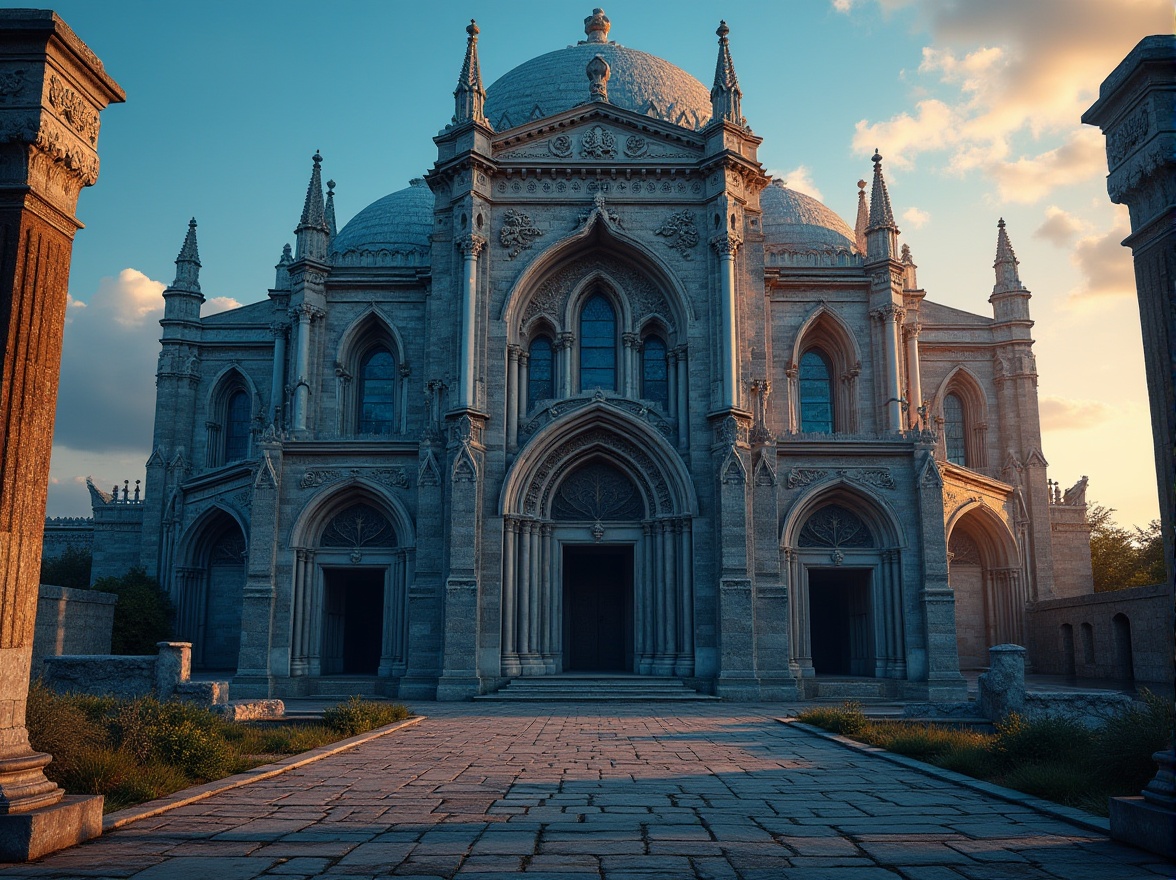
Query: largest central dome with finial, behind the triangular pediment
[{"x": 558, "y": 82}]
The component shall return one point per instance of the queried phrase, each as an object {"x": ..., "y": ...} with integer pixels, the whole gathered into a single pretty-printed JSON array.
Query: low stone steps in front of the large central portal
[{"x": 596, "y": 689}]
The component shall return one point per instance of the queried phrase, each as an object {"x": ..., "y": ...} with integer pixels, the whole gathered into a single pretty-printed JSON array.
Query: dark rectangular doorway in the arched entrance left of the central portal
[{"x": 352, "y": 621}]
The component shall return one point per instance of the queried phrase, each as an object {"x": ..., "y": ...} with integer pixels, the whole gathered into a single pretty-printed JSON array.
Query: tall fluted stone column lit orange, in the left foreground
[{"x": 55, "y": 90}]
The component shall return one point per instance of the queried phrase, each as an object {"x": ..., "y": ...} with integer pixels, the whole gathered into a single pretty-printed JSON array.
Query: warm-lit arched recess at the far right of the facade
[{"x": 986, "y": 581}]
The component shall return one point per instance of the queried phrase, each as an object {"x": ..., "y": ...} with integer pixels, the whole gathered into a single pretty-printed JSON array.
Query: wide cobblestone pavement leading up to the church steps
[{"x": 669, "y": 791}]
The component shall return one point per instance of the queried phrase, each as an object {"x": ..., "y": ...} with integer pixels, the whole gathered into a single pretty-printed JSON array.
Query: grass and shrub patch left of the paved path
[{"x": 135, "y": 751}]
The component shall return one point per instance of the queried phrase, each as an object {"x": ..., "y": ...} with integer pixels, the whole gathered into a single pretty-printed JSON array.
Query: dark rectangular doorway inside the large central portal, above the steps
[{"x": 598, "y": 609}]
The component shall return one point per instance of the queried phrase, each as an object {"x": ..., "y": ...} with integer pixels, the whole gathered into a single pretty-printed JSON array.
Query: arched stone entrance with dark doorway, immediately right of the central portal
[{"x": 845, "y": 582}]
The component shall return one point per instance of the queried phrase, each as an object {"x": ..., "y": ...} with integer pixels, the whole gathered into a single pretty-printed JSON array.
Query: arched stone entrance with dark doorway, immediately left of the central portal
[{"x": 350, "y": 615}]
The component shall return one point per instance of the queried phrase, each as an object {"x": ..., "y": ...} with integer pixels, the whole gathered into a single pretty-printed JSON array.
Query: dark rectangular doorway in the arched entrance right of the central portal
[{"x": 840, "y": 622}]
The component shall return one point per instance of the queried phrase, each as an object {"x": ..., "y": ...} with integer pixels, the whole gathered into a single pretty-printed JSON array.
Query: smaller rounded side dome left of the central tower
[{"x": 393, "y": 231}]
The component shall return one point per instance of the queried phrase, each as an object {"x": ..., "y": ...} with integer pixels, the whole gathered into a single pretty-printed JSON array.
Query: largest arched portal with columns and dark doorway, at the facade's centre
[{"x": 598, "y": 571}]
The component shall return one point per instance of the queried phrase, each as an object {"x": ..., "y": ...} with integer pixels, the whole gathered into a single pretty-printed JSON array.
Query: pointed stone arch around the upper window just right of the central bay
[{"x": 826, "y": 332}]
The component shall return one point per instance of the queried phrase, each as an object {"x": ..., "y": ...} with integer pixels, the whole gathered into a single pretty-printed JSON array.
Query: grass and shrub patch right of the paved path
[{"x": 1057, "y": 759}]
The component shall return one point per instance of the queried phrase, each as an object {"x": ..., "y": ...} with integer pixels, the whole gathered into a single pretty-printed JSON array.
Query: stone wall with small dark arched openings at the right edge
[{"x": 1121, "y": 636}]
